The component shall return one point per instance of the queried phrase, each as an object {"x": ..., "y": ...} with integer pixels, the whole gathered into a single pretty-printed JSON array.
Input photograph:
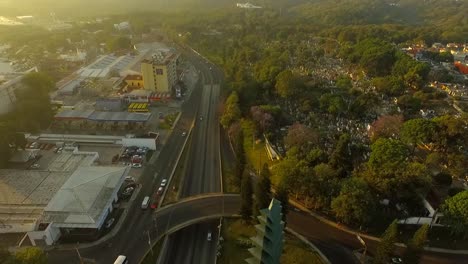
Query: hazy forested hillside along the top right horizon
[{"x": 346, "y": 12}]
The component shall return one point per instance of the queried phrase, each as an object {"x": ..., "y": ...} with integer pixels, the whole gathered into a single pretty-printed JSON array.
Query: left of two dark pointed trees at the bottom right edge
[{"x": 386, "y": 246}]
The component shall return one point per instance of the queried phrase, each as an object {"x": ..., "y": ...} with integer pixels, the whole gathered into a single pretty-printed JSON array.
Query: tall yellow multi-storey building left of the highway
[{"x": 160, "y": 73}]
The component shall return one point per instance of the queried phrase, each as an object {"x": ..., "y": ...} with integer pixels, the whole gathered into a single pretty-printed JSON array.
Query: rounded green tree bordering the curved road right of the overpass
[{"x": 355, "y": 204}]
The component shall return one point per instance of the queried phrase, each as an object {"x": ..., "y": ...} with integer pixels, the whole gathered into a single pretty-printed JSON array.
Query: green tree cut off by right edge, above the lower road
[{"x": 455, "y": 211}]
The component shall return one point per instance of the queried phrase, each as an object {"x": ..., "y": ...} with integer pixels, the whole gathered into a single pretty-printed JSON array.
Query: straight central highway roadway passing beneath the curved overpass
[{"x": 190, "y": 245}]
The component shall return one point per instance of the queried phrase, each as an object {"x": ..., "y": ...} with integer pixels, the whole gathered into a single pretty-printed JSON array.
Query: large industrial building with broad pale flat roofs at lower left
[{"x": 67, "y": 191}]
